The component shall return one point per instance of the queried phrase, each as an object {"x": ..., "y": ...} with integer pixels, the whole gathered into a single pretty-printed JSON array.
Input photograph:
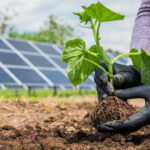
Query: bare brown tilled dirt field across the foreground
[{"x": 60, "y": 124}]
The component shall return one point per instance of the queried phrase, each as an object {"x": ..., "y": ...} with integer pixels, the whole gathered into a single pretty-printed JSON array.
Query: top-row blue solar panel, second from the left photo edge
[{"x": 22, "y": 46}]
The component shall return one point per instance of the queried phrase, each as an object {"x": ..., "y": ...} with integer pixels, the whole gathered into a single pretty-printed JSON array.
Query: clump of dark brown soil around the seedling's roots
[{"x": 111, "y": 108}]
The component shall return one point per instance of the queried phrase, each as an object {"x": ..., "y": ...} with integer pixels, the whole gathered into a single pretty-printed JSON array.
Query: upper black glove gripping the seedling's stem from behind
[{"x": 124, "y": 77}]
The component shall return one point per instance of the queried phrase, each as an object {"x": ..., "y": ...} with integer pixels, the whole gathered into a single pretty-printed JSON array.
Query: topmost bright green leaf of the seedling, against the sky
[{"x": 99, "y": 12}]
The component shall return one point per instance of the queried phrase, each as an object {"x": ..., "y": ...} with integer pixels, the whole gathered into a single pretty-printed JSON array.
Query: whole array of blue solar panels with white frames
[{"x": 25, "y": 64}]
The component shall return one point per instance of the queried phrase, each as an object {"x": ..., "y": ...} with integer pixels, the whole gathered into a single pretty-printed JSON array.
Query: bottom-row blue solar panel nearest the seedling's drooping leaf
[{"x": 56, "y": 77}]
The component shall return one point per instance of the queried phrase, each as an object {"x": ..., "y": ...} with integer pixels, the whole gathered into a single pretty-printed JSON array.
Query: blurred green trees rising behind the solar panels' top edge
[{"x": 52, "y": 32}]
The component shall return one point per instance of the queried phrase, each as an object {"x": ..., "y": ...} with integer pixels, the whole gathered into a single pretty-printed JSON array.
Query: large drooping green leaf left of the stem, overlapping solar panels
[{"x": 78, "y": 69}]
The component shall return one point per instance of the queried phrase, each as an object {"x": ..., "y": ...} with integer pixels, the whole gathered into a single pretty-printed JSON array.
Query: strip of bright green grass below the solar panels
[{"x": 13, "y": 94}]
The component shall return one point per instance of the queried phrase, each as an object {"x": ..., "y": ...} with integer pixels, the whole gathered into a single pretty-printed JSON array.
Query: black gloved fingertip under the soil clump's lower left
[{"x": 111, "y": 127}]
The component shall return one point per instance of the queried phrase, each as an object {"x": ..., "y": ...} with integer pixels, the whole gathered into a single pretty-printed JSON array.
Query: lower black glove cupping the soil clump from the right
[{"x": 135, "y": 121}]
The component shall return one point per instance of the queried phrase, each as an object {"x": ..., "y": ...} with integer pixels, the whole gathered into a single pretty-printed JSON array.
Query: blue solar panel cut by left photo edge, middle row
[{"x": 11, "y": 59}]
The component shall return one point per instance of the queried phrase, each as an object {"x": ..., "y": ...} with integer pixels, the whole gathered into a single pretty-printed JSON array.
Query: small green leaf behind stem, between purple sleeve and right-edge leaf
[{"x": 136, "y": 59}]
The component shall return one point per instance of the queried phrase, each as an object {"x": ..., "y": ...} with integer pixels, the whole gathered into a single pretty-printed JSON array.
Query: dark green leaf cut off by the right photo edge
[{"x": 145, "y": 67}]
